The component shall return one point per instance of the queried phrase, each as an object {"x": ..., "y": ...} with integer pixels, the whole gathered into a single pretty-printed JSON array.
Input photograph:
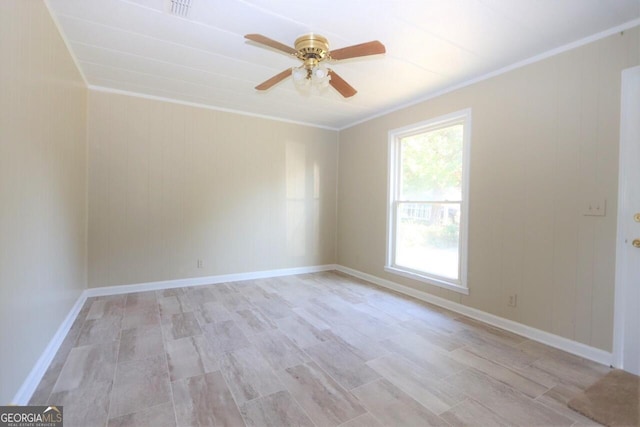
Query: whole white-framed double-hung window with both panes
[{"x": 428, "y": 201}]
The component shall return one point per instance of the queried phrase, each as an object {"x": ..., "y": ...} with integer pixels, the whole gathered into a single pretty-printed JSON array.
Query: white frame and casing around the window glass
[{"x": 393, "y": 188}]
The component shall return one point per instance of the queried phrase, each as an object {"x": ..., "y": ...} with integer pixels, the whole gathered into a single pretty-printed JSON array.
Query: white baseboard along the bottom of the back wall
[{"x": 206, "y": 280}]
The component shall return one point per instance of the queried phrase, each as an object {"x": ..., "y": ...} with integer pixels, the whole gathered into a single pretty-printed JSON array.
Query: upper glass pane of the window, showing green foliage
[{"x": 431, "y": 165}]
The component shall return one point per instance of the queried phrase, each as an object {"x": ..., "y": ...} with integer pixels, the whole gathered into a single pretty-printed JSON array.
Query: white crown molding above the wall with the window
[{"x": 515, "y": 66}]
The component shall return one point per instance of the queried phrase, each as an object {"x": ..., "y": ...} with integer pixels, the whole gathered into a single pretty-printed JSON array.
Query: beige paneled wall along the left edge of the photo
[{"x": 42, "y": 187}]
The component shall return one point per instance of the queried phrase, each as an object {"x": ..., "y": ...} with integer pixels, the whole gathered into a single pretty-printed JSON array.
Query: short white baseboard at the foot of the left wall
[{"x": 30, "y": 384}]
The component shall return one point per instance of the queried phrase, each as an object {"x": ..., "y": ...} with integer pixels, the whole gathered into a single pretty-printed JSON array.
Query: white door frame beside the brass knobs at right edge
[{"x": 621, "y": 280}]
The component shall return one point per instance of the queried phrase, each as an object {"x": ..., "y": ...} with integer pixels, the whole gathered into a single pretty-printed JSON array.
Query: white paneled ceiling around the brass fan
[{"x": 432, "y": 45}]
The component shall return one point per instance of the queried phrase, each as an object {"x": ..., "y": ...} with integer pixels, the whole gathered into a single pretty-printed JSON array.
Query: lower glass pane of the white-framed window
[{"x": 428, "y": 238}]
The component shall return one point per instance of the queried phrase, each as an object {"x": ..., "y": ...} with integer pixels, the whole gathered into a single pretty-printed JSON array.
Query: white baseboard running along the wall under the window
[{"x": 547, "y": 338}]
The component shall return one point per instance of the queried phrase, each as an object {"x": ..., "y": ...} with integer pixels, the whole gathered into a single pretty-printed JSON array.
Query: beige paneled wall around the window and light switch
[{"x": 544, "y": 141}]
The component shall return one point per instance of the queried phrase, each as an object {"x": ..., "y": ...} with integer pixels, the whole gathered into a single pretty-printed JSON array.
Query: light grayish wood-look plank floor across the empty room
[{"x": 320, "y": 349}]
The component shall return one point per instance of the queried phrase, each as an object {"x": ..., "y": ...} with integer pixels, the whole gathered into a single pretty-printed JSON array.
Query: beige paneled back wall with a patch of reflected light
[{"x": 170, "y": 184}]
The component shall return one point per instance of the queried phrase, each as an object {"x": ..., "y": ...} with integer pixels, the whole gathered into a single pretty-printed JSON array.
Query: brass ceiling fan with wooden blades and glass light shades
[{"x": 313, "y": 51}]
